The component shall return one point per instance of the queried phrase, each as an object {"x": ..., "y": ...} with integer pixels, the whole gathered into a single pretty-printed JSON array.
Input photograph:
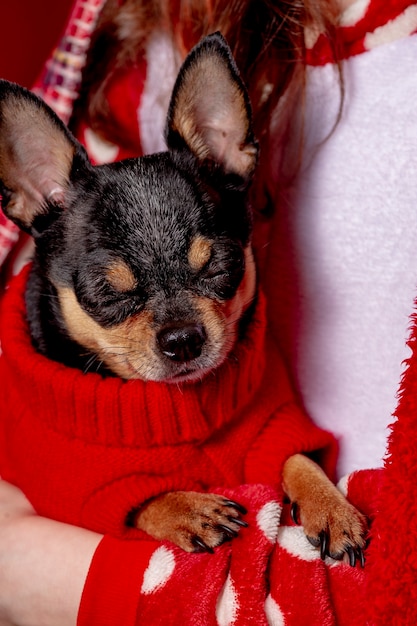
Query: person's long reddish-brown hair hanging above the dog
[{"x": 267, "y": 38}]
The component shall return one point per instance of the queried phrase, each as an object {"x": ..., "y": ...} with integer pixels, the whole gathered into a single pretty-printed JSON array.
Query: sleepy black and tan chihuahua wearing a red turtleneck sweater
[{"x": 144, "y": 282}]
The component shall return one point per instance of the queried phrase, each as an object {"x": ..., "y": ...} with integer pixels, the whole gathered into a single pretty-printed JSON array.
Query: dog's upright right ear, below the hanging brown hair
[{"x": 210, "y": 112}]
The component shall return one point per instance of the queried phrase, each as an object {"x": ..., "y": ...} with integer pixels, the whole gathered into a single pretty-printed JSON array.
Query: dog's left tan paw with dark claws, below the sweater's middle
[{"x": 196, "y": 522}]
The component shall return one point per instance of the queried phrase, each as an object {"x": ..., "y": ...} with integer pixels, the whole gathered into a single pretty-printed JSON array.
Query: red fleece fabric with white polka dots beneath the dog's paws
[{"x": 269, "y": 576}]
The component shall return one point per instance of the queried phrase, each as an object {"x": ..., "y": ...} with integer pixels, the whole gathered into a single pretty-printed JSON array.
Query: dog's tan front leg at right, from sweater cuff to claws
[{"x": 329, "y": 520}]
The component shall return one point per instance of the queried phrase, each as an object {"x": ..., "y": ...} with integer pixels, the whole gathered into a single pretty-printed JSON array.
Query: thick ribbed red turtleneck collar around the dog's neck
[{"x": 111, "y": 411}]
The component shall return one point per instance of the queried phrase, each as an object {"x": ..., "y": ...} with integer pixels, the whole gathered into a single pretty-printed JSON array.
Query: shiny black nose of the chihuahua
[{"x": 182, "y": 343}]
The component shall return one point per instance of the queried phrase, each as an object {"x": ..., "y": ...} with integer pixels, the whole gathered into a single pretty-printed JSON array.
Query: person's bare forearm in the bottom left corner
[{"x": 43, "y": 565}]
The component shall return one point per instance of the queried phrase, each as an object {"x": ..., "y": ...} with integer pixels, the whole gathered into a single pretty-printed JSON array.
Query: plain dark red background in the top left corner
[{"x": 29, "y": 29}]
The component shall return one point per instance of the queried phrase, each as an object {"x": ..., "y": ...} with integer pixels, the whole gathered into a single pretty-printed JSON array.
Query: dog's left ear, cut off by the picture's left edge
[{"x": 36, "y": 155}]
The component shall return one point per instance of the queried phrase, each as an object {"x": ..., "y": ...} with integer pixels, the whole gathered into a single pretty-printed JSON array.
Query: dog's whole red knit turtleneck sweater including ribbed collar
[{"x": 85, "y": 449}]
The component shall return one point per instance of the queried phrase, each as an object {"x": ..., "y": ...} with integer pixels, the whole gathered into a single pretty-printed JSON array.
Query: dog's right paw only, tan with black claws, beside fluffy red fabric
[{"x": 334, "y": 526}]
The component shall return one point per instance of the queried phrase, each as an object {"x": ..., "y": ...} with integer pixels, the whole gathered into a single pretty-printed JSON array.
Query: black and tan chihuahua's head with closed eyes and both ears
[{"x": 144, "y": 264}]
